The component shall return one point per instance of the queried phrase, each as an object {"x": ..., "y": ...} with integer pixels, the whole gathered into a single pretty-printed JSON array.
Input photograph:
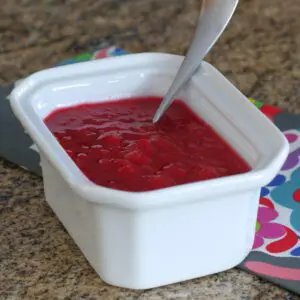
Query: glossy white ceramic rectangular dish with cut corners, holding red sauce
[{"x": 149, "y": 239}]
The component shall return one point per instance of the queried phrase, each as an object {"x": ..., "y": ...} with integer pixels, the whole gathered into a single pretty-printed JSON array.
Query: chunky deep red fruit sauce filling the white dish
[{"x": 116, "y": 145}]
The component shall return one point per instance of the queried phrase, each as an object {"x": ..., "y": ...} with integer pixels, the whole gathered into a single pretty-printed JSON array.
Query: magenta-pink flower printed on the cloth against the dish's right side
[{"x": 265, "y": 229}]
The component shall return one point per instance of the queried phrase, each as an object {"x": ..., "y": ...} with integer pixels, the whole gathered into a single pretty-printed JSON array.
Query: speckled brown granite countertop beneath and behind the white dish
[{"x": 259, "y": 53}]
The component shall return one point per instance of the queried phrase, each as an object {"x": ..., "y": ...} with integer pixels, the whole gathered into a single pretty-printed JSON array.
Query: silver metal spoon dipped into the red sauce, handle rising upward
[{"x": 213, "y": 19}]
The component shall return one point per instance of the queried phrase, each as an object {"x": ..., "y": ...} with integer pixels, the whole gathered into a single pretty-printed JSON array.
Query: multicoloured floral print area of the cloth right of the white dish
[{"x": 278, "y": 223}]
